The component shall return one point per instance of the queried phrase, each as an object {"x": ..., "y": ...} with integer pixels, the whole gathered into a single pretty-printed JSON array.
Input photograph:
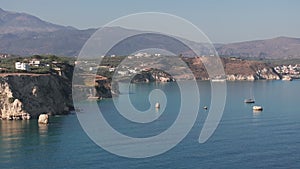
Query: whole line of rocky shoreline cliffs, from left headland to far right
[{"x": 24, "y": 96}]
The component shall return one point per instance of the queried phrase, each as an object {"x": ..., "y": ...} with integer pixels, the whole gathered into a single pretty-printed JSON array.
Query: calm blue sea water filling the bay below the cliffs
[{"x": 243, "y": 139}]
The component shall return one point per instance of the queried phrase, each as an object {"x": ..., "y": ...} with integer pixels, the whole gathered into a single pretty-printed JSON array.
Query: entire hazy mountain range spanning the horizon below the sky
[{"x": 24, "y": 34}]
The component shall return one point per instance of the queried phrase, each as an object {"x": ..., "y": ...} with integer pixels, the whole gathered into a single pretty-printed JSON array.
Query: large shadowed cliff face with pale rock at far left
[{"x": 22, "y": 96}]
